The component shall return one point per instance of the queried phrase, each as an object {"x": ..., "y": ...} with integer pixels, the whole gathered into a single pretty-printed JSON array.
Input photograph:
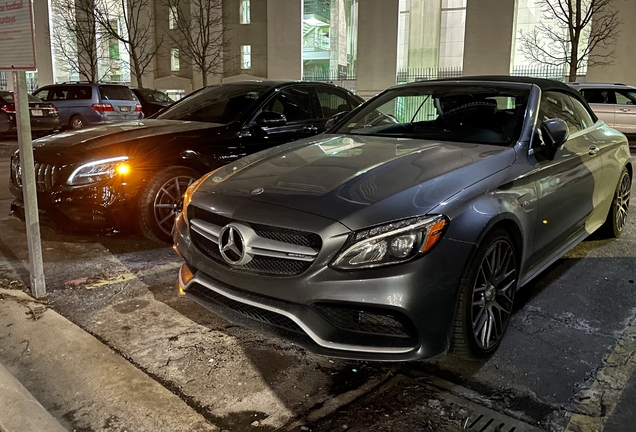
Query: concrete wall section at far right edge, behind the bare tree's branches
[{"x": 624, "y": 68}]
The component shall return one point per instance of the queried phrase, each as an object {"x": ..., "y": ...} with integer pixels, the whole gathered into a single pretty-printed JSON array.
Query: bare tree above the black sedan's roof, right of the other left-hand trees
[{"x": 198, "y": 33}]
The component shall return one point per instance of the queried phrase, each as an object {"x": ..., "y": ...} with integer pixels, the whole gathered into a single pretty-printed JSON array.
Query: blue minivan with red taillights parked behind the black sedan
[{"x": 83, "y": 104}]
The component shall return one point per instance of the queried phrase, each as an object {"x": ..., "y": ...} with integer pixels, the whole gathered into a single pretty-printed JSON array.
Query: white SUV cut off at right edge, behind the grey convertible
[{"x": 615, "y": 104}]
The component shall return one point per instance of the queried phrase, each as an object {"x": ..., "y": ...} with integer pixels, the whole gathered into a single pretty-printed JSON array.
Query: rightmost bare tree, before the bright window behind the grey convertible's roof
[{"x": 570, "y": 32}]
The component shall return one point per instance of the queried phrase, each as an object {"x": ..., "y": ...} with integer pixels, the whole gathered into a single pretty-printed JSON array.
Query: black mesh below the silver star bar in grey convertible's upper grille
[{"x": 259, "y": 264}]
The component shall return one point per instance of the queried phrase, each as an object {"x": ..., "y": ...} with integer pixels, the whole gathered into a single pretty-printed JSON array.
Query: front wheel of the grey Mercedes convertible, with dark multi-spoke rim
[{"x": 486, "y": 297}]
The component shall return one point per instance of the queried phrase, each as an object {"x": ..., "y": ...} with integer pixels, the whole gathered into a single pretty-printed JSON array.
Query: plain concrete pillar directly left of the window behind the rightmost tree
[{"x": 489, "y": 37}]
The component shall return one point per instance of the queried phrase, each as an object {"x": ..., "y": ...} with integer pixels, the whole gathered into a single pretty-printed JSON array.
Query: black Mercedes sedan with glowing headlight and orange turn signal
[{"x": 117, "y": 177}]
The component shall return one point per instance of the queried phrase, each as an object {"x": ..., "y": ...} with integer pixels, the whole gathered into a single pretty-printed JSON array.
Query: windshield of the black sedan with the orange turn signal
[{"x": 219, "y": 104}]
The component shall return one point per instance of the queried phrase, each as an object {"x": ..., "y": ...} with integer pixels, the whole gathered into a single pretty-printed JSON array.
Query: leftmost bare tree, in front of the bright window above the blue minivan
[{"x": 74, "y": 37}]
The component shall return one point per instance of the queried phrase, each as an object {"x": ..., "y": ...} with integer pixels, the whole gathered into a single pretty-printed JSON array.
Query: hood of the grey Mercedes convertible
[{"x": 359, "y": 180}]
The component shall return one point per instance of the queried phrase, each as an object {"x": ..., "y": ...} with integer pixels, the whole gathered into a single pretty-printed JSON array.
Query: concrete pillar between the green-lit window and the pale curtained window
[{"x": 376, "y": 68}]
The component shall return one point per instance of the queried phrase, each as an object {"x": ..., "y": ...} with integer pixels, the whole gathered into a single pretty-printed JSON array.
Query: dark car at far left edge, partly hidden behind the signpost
[{"x": 44, "y": 116}]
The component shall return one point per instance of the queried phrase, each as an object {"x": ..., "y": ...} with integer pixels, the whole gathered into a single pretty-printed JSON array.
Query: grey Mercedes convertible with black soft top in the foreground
[{"x": 407, "y": 229}]
